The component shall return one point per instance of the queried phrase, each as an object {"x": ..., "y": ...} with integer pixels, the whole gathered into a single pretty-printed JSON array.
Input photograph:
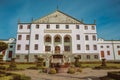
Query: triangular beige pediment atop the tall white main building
[{"x": 57, "y": 17}]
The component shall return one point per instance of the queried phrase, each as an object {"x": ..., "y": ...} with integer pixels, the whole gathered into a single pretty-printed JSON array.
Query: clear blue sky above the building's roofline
[{"x": 106, "y": 13}]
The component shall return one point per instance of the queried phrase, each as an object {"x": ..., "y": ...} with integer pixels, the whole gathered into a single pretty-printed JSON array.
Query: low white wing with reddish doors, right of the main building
[{"x": 109, "y": 49}]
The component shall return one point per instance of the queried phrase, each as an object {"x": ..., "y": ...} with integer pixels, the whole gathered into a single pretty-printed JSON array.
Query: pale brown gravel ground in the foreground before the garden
[{"x": 86, "y": 74}]
